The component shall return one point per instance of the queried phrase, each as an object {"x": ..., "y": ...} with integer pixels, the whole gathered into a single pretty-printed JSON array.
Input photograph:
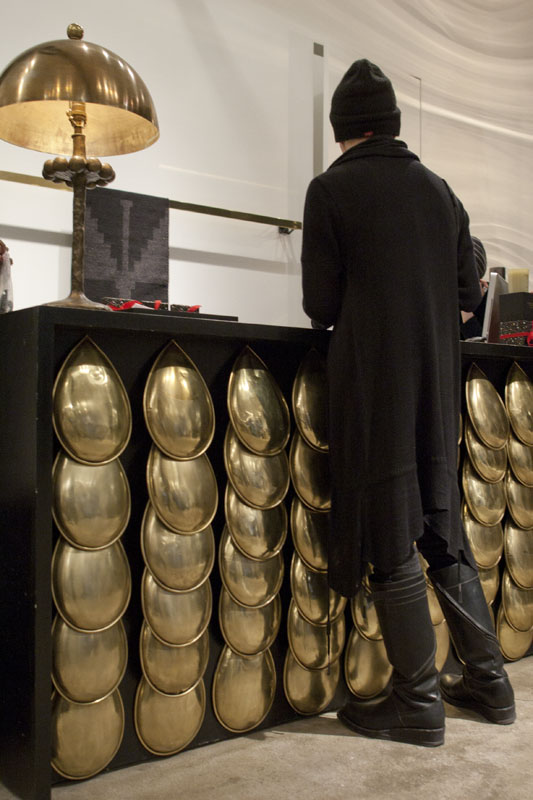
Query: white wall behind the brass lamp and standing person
[{"x": 234, "y": 84}]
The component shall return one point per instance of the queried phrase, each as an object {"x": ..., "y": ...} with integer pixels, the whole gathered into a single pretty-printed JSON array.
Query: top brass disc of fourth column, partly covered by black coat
[{"x": 310, "y": 400}]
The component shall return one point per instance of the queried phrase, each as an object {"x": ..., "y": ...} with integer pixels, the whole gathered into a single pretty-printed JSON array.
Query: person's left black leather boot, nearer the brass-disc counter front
[{"x": 413, "y": 712}]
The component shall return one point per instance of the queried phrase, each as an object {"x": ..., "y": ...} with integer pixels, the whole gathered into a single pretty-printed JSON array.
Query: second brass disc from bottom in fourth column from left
[{"x": 309, "y": 643}]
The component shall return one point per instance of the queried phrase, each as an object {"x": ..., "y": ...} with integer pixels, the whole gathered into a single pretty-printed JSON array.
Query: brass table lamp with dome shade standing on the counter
[{"x": 80, "y": 100}]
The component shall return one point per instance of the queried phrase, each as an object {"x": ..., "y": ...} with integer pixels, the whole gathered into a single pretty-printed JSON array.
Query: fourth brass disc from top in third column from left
[{"x": 250, "y": 582}]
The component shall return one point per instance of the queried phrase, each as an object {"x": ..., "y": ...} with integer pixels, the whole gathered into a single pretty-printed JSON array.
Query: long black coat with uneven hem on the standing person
[{"x": 387, "y": 260}]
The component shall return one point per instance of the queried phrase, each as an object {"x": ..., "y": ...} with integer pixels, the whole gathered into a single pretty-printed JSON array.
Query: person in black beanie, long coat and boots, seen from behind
[{"x": 387, "y": 259}]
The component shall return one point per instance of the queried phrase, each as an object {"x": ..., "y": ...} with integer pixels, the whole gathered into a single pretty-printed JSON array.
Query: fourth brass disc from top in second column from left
[{"x": 176, "y": 617}]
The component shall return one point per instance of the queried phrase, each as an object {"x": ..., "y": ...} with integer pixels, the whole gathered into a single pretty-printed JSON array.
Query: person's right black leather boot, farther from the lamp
[{"x": 484, "y": 686}]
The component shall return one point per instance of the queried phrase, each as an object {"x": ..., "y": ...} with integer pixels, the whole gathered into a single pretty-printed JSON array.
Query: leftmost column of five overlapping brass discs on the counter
[{"x": 91, "y": 581}]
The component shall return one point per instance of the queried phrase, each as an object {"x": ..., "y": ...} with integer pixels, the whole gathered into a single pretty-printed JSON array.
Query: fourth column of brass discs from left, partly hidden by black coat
[{"x": 315, "y": 621}]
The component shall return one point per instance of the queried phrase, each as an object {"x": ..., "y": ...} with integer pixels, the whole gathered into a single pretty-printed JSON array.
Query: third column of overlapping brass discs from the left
[{"x": 250, "y": 550}]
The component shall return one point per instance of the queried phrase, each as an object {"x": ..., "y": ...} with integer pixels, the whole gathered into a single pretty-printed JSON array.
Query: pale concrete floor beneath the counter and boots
[{"x": 316, "y": 758}]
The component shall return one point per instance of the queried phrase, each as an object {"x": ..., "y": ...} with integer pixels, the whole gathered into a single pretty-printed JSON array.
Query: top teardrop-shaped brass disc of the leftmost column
[{"x": 91, "y": 410}]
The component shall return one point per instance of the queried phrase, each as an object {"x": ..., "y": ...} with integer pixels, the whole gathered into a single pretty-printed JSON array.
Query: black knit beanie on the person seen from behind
[{"x": 364, "y": 103}]
